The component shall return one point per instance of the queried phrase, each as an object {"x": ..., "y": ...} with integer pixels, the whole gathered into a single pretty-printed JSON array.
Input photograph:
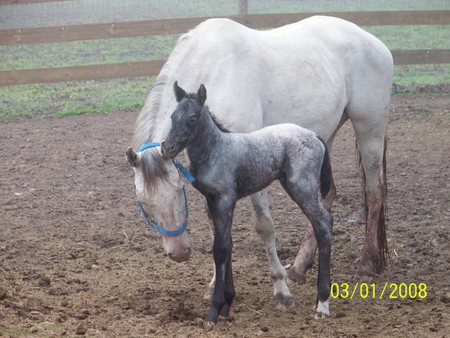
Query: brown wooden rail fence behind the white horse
[{"x": 176, "y": 26}]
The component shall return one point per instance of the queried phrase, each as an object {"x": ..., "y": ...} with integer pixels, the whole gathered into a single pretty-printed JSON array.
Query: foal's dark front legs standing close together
[{"x": 221, "y": 209}]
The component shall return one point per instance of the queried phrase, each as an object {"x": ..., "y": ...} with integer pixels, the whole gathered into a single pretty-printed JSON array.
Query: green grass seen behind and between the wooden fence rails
[{"x": 102, "y": 96}]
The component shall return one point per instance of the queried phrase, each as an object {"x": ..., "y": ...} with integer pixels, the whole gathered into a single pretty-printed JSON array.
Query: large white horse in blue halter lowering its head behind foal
[{"x": 317, "y": 73}]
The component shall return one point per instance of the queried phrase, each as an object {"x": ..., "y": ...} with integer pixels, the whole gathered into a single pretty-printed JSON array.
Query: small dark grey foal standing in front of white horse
[{"x": 229, "y": 166}]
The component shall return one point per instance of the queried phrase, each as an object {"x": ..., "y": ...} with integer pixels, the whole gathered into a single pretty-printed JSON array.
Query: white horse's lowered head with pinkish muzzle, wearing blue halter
[{"x": 159, "y": 190}]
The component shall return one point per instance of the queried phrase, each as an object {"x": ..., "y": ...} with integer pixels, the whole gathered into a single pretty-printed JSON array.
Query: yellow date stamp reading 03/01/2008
[{"x": 374, "y": 291}]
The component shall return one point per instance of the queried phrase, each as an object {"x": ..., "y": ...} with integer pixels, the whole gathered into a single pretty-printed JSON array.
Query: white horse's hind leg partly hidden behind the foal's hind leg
[{"x": 305, "y": 256}]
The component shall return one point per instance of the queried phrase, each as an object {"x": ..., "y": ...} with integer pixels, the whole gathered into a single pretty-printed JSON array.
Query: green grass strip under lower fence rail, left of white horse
[{"x": 73, "y": 98}]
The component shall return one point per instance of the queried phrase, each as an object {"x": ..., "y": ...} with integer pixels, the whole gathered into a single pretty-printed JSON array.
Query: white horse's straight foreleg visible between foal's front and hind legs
[{"x": 282, "y": 297}]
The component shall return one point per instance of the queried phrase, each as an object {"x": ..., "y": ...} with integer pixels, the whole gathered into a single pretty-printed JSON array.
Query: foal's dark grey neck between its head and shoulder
[{"x": 209, "y": 139}]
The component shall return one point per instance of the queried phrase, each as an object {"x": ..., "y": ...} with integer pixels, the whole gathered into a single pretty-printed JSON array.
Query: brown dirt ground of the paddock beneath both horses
[{"x": 76, "y": 257}]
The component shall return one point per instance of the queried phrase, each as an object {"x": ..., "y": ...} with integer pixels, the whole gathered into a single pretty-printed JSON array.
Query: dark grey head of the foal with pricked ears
[{"x": 185, "y": 120}]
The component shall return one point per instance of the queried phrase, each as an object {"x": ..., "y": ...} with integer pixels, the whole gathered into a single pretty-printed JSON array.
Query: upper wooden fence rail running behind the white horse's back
[{"x": 177, "y": 26}]
